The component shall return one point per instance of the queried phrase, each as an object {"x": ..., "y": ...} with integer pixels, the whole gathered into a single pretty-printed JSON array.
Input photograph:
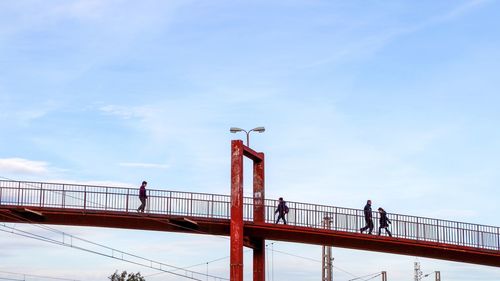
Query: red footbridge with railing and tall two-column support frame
[{"x": 249, "y": 221}]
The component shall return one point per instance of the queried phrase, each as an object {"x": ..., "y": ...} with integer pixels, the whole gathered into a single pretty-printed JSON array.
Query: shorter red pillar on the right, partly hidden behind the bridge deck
[{"x": 259, "y": 253}]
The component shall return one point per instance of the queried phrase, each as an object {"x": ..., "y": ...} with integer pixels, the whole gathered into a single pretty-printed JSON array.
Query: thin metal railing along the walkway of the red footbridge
[{"x": 104, "y": 198}]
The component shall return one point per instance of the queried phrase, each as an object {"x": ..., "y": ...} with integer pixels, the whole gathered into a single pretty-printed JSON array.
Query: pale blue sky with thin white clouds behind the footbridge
[{"x": 393, "y": 101}]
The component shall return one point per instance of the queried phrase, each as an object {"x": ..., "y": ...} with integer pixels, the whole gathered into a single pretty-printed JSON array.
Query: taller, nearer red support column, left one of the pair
[{"x": 236, "y": 228}]
